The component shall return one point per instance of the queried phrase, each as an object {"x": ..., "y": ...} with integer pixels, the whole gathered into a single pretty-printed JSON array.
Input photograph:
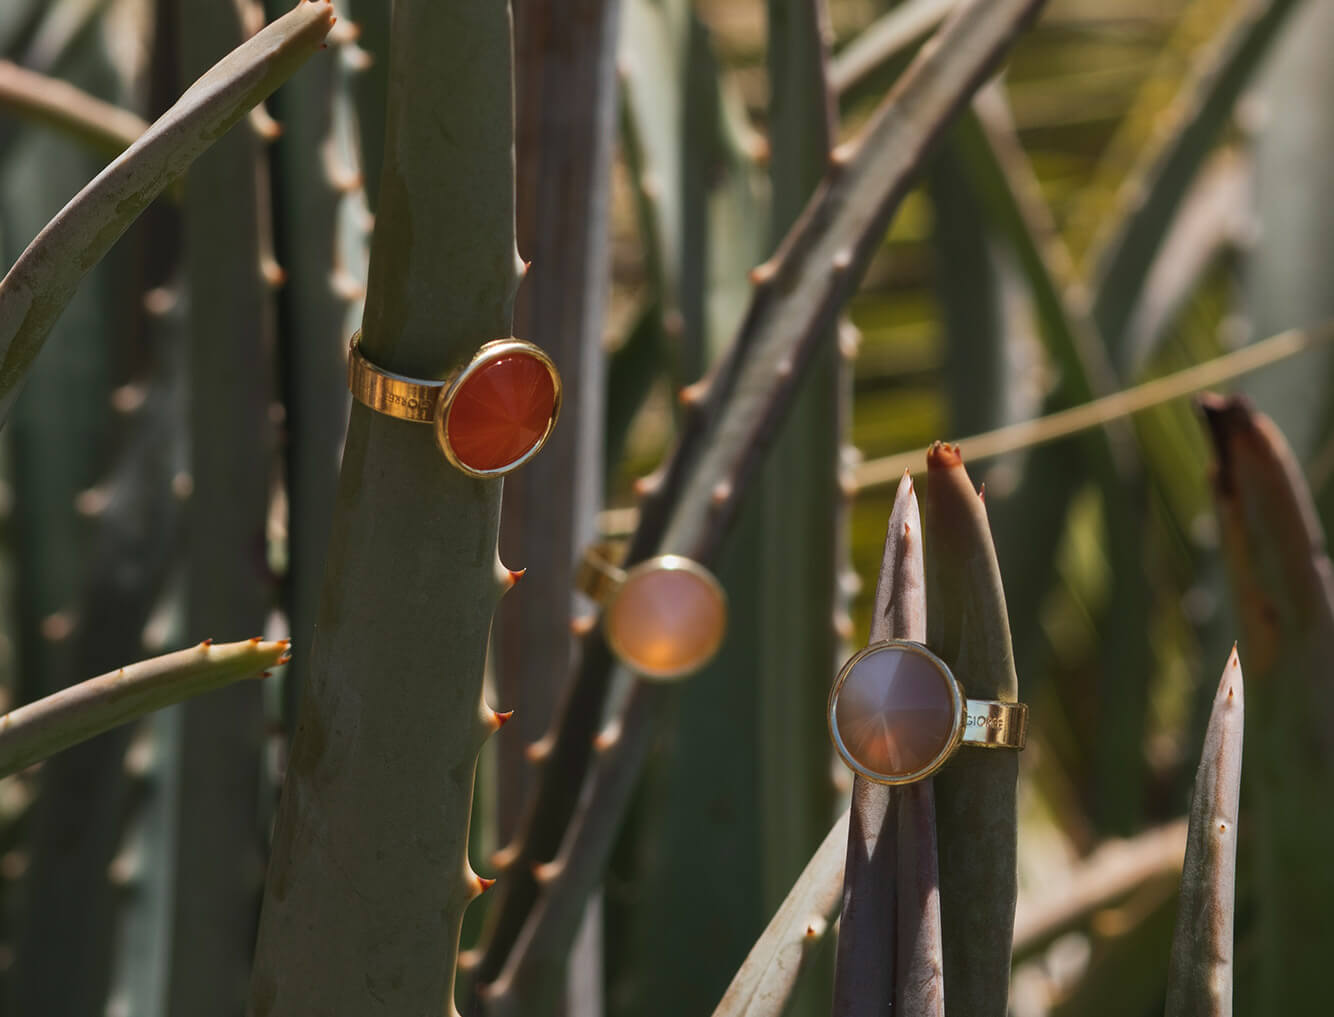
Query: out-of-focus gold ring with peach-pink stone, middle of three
[{"x": 664, "y": 619}]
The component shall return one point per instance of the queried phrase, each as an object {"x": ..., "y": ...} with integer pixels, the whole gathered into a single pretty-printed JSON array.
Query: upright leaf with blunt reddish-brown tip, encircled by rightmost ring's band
[{"x": 969, "y": 629}]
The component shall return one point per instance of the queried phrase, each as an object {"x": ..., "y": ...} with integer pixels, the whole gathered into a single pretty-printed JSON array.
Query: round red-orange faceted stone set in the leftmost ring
[{"x": 501, "y": 412}]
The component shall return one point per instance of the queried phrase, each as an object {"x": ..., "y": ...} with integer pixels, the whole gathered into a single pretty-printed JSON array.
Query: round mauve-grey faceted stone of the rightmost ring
[{"x": 894, "y": 712}]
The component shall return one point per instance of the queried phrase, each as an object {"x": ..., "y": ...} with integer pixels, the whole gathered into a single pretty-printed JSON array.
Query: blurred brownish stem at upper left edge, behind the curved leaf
[{"x": 49, "y": 101}]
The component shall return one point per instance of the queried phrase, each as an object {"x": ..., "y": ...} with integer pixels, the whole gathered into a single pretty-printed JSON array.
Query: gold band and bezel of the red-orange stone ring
[{"x": 430, "y": 402}]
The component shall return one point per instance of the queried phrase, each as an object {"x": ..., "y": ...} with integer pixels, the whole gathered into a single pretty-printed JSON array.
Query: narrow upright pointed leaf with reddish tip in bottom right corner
[{"x": 1200, "y": 979}]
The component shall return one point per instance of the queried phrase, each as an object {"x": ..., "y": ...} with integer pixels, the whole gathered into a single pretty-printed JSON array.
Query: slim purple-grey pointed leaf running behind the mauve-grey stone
[{"x": 865, "y": 975}]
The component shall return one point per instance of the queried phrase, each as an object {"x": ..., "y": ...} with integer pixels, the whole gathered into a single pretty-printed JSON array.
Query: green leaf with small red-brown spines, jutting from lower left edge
[{"x": 53, "y": 724}]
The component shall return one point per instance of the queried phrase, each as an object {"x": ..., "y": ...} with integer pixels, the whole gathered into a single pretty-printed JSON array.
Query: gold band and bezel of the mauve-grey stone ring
[{"x": 985, "y": 724}]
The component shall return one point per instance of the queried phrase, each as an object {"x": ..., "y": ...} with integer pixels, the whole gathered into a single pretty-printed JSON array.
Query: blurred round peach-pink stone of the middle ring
[{"x": 666, "y": 623}]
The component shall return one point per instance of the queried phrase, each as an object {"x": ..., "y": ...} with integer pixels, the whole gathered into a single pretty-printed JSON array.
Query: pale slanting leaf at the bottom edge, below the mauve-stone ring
[{"x": 765, "y": 983}]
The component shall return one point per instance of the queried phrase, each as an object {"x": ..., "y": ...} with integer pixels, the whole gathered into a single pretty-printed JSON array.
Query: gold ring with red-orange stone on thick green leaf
[{"x": 490, "y": 417}]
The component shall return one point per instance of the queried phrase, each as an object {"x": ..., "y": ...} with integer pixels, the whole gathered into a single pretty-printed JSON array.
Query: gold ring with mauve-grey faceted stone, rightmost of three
[{"x": 897, "y": 713}]
